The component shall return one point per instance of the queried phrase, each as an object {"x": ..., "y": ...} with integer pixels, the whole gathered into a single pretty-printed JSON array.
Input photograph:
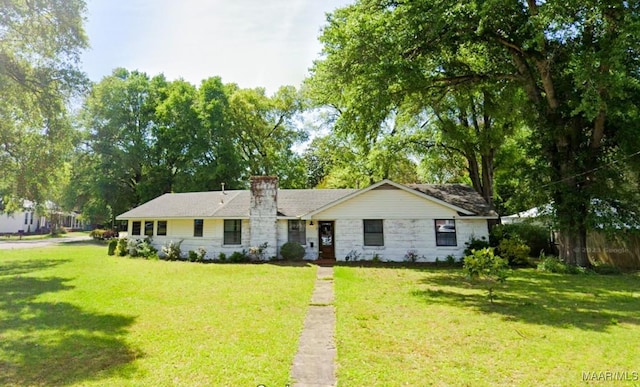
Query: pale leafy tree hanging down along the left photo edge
[{"x": 40, "y": 45}]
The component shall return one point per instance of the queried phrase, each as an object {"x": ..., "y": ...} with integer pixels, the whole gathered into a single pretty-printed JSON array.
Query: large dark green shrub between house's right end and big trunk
[{"x": 535, "y": 236}]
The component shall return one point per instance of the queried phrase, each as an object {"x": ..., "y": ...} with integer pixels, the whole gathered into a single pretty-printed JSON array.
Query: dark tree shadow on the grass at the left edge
[{"x": 54, "y": 343}]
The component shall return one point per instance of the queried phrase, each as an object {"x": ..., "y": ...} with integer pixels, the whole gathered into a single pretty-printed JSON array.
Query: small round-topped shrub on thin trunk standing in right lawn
[{"x": 484, "y": 265}]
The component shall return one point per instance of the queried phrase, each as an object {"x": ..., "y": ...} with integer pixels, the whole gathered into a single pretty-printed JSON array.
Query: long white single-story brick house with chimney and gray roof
[{"x": 386, "y": 219}]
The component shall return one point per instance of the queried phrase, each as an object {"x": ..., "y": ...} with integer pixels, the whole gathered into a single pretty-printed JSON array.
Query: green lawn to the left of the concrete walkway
[{"x": 70, "y": 315}]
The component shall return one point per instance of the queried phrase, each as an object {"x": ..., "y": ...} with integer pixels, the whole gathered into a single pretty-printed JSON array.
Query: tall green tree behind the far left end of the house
[{"x": 119, "y": 116}]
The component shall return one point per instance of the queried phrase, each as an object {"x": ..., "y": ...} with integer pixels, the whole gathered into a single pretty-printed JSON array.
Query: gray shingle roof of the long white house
[{"x": 291, "y": 202}]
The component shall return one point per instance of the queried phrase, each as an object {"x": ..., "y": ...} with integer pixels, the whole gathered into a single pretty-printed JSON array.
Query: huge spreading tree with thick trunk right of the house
[{"x": 576, "y": 62}]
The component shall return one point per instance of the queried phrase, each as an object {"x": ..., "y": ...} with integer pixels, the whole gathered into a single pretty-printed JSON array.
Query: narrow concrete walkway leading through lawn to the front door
[{"x": 314, "y": 364}]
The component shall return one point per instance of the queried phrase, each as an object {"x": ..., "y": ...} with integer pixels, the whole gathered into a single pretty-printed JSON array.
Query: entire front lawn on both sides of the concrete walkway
[{"x": 70, "y": 315}]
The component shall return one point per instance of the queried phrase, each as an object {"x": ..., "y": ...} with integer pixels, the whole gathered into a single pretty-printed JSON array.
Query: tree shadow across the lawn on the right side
[{"x": 589, "y": 302}]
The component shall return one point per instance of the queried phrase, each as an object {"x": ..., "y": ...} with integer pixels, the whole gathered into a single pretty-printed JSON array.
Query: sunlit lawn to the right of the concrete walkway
[{"x": 412, "y": 326}]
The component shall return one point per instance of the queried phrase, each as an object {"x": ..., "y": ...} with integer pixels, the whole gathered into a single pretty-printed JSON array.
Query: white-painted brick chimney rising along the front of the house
[{"x": 263, "y": 213}]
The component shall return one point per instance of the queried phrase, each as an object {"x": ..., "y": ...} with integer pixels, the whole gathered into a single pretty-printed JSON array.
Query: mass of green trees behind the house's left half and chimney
[{"x": 146, "y": 136}]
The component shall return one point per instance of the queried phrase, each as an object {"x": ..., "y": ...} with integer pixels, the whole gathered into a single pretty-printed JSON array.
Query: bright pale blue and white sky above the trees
[{"x": 254, "y": 43}]
